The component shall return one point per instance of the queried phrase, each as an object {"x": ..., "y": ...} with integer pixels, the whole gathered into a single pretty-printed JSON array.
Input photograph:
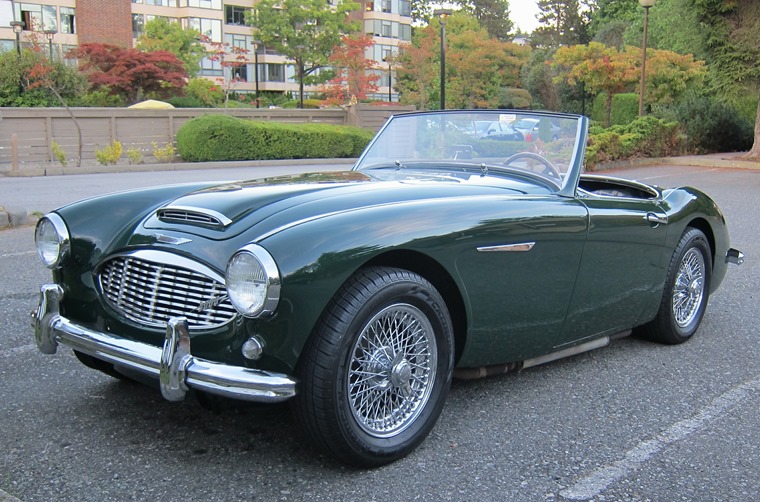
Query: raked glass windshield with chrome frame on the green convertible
[{"x": 540, "y": 145}]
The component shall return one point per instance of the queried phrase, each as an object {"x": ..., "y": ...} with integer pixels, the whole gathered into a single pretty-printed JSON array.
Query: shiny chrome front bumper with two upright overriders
[{"x": 176, "y": 369}]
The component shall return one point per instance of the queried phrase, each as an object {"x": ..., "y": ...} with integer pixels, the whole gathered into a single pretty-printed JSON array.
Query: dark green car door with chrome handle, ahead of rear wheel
[{"x": 623, "y": 256}]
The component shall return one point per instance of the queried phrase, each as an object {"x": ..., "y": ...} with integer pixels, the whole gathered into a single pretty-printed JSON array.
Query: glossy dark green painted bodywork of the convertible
[{"x": 596, "y": 266}]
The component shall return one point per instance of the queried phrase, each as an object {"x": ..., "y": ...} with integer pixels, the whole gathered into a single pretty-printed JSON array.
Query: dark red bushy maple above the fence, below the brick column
[{"x": 132, "y": 73}]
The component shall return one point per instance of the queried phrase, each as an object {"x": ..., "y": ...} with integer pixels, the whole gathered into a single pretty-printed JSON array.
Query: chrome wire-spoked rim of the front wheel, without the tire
[{"x": 392, "y": 370}]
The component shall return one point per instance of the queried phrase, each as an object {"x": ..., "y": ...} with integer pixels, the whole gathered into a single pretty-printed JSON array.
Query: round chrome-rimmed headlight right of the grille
[{"x": 253, "y": 281}]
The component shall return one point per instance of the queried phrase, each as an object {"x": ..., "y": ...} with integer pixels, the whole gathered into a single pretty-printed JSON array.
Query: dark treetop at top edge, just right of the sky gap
[{"x": 562, "y": 24}]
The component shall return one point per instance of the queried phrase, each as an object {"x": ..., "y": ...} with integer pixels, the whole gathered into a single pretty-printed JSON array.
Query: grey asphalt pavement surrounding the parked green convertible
[{"x": 635, "y": 421}]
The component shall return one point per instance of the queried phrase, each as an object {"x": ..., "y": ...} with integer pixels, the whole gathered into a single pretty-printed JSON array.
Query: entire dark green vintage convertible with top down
[{"x": 358, "y": 295}]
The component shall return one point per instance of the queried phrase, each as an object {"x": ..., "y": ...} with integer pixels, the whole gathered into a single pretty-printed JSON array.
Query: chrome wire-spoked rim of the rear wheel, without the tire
[{"x": 689, "y": 288}]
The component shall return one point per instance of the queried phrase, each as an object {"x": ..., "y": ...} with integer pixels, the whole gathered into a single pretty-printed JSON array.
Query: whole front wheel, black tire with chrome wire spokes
[{"x": 365, "y": 396}]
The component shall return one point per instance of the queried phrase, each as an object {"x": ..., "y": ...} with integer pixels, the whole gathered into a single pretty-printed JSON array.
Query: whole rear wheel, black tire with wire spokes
[{"x": 687, "y": 289}]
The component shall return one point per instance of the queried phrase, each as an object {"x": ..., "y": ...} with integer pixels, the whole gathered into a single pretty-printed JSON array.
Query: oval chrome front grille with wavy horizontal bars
[{"x": 151, "y": 292}]
